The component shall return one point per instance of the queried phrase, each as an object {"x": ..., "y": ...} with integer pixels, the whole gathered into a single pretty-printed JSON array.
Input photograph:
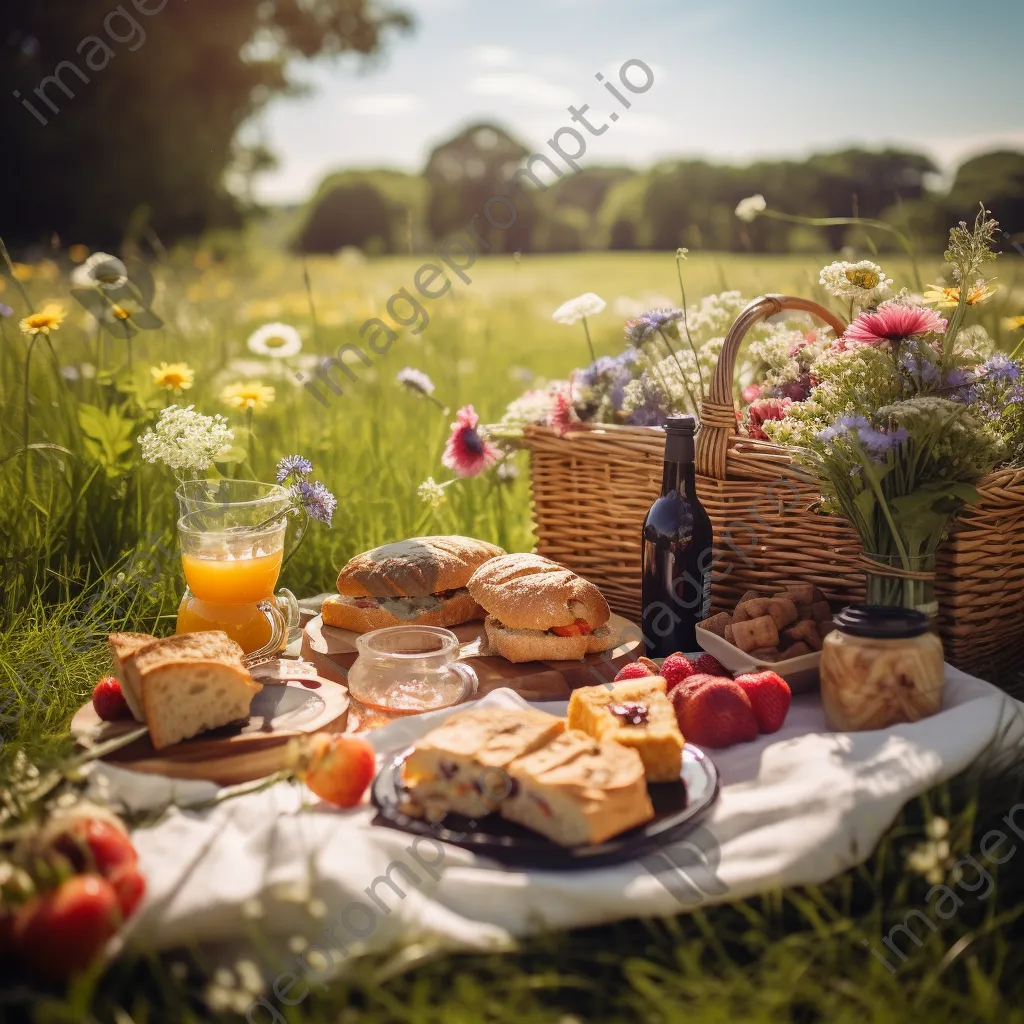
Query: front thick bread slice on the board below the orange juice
[{"x": 183, "y": 698}]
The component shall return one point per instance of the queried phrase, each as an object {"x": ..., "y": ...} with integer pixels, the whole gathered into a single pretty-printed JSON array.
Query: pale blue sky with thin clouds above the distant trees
[{"x": 734, "y": 80}]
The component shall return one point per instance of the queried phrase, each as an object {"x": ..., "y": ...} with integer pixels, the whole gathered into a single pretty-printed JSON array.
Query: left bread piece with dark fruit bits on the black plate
[{"x": 461, "y": 765}]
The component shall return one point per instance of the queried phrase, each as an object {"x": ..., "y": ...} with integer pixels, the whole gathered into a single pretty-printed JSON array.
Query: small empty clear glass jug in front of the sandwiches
[{"x": 409, "y": 670}]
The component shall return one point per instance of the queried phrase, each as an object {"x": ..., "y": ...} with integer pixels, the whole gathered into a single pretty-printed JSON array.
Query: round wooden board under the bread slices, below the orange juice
[{"x": 294, "y": 702}]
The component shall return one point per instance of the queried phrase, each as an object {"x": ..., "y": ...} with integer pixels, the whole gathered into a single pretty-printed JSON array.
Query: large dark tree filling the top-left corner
[{"x": 139, "y": 107}]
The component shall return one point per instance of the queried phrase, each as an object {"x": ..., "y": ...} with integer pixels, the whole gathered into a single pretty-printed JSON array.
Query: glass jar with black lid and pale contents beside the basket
[{"x": 880, "y": 667}]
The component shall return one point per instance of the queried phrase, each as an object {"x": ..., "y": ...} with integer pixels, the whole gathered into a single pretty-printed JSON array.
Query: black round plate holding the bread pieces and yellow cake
[{"x": 677, "y": 808}]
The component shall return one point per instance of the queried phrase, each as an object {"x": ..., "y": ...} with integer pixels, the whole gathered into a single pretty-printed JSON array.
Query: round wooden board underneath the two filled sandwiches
[{"x": 333, "y": 653}]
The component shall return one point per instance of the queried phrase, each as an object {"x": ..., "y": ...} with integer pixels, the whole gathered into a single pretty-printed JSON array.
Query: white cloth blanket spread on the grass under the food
[{"x": 279, "y": 874}]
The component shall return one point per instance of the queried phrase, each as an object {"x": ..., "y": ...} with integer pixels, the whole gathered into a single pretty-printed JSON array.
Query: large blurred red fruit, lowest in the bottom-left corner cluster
[{"x": 63, "y": 931}]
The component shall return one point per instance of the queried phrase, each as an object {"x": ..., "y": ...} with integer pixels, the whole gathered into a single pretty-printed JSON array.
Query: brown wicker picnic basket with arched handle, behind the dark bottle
[{"x": 592, "y": 489}]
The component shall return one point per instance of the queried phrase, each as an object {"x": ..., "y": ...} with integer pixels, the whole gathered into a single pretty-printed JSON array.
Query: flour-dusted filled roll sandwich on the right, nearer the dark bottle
[{"x": 540, "y": 611}]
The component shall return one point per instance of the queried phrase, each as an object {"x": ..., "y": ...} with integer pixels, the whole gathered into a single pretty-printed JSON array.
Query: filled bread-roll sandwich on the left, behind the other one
[{"x": 421, "y": 582}]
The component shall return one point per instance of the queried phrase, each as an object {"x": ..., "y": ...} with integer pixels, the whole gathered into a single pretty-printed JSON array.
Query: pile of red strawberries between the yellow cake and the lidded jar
[{"x": 713, "y": 709}]
